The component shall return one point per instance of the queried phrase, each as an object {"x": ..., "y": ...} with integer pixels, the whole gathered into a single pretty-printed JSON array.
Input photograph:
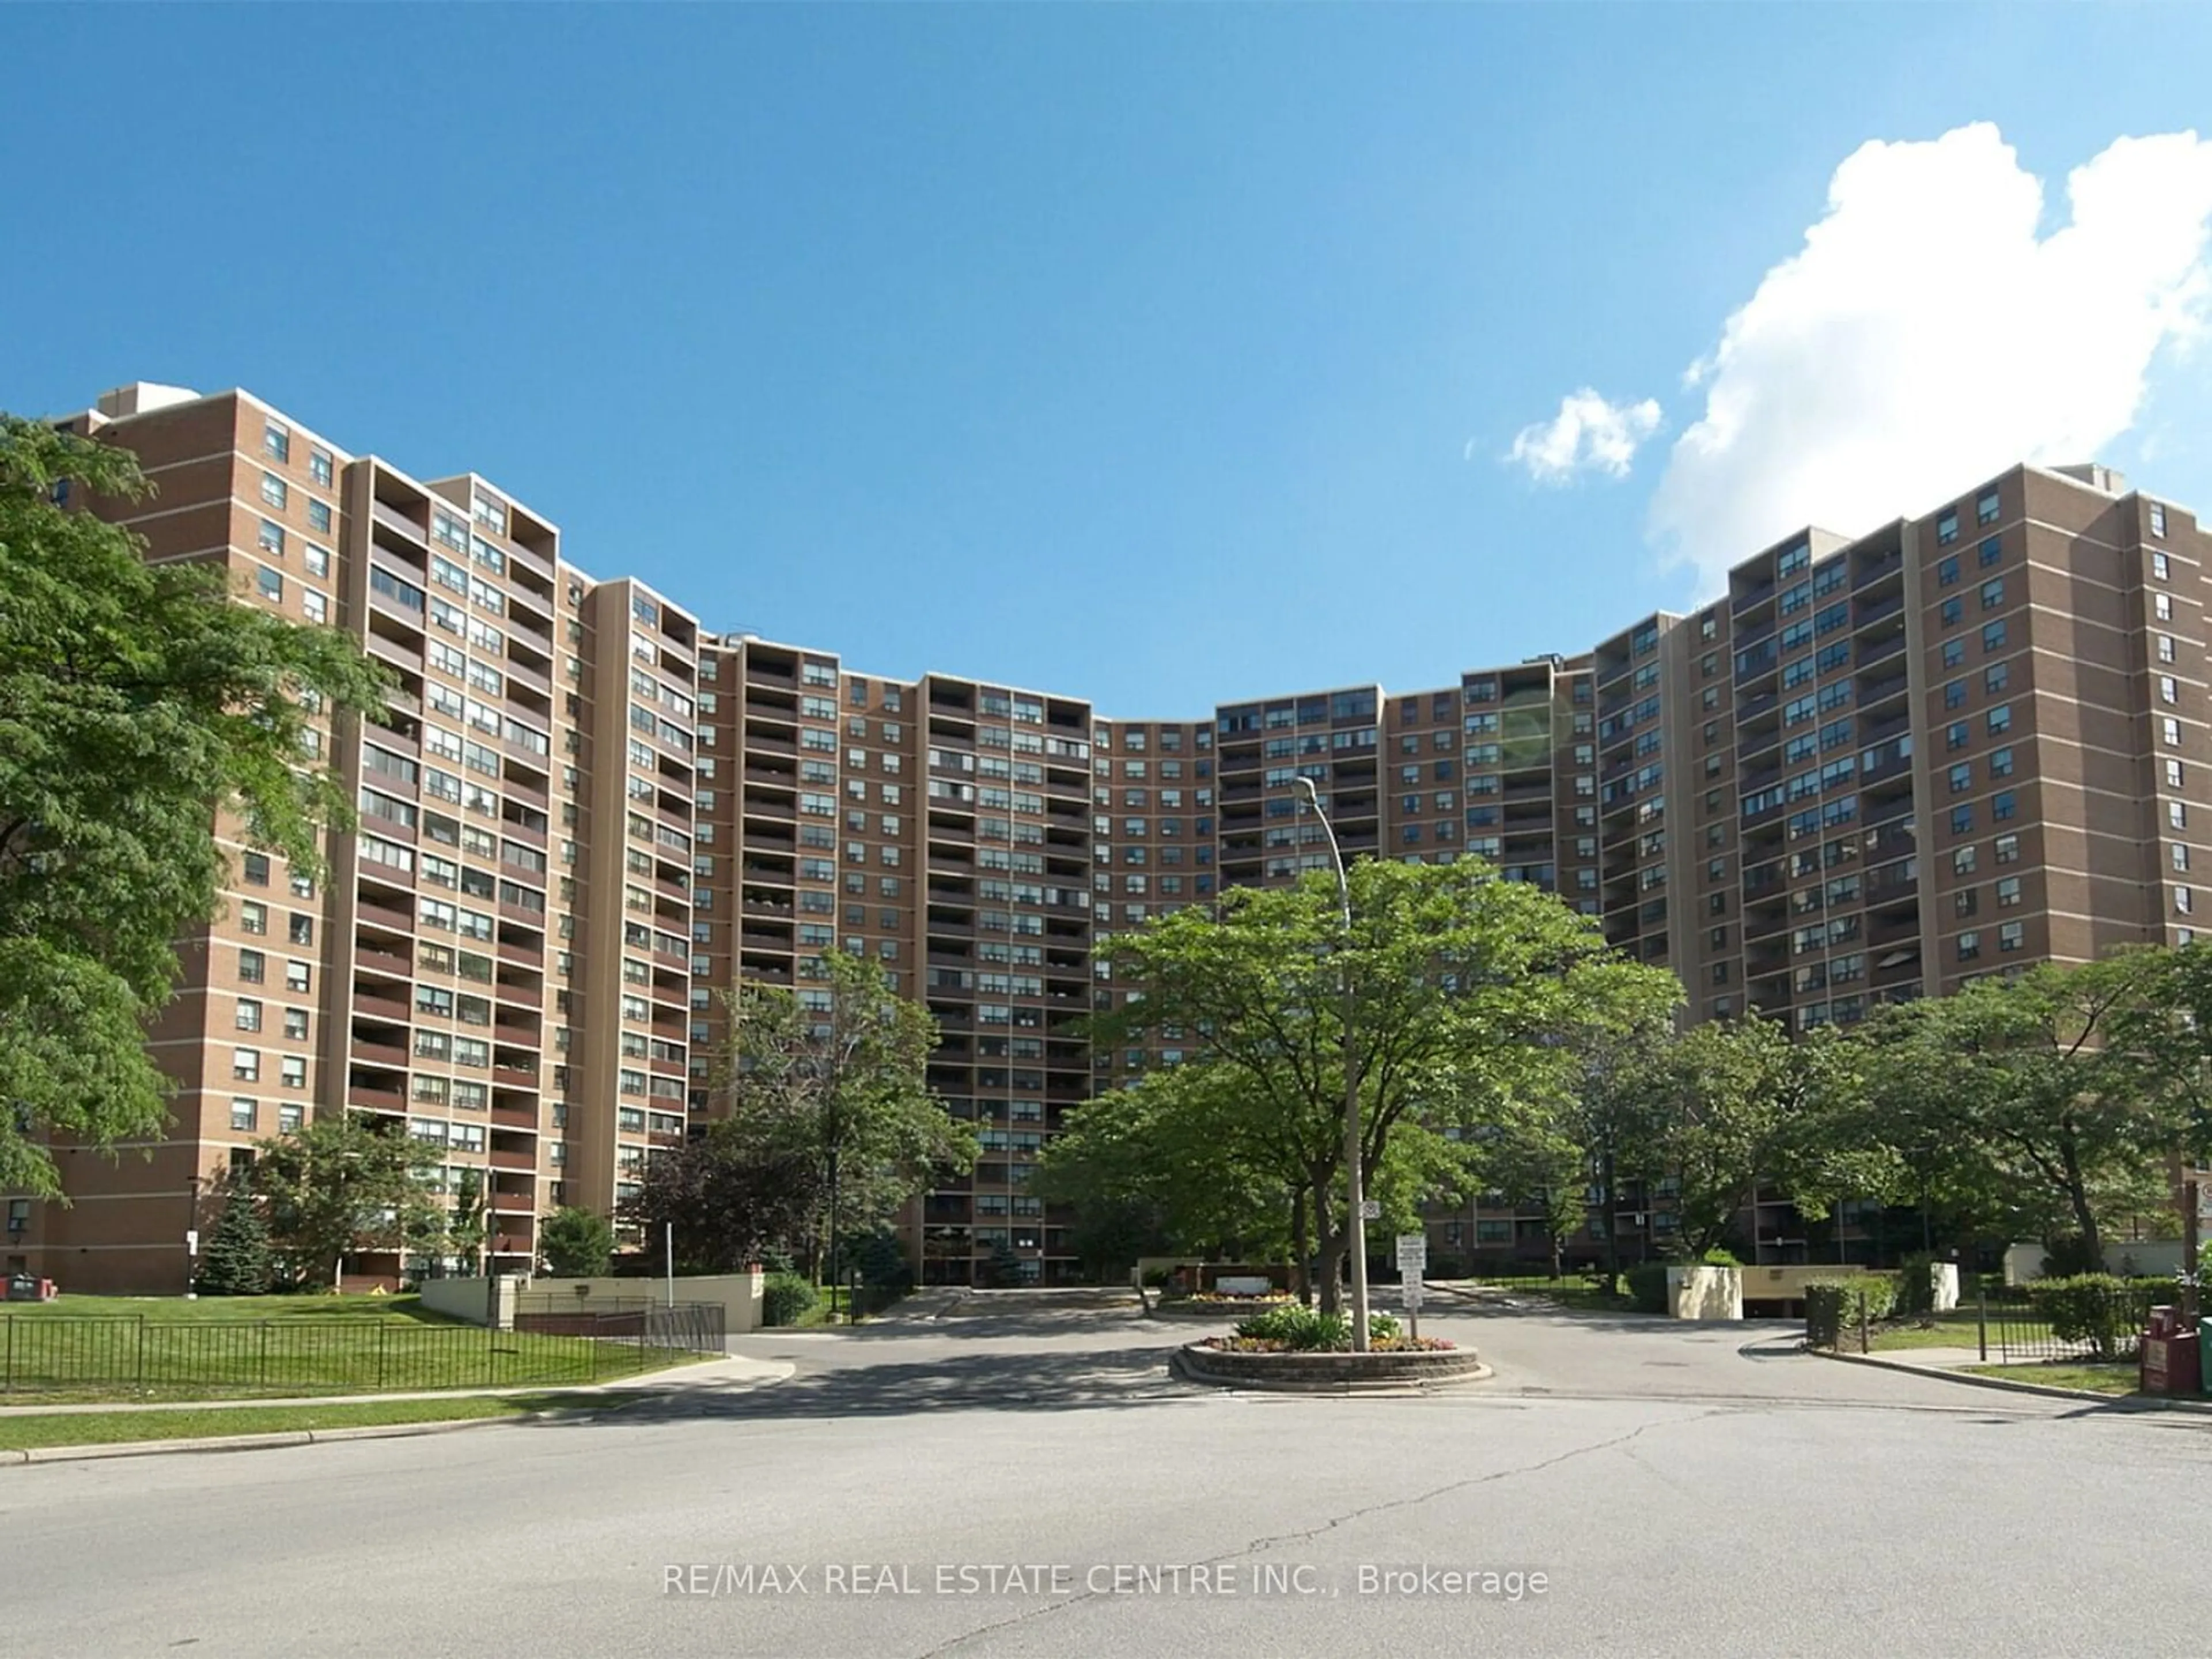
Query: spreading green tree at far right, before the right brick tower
[{"x": 2067, "y": 1085}]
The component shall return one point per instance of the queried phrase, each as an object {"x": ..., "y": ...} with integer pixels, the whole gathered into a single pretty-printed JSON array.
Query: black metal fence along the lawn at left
[{"x": 48, "y": 1355}]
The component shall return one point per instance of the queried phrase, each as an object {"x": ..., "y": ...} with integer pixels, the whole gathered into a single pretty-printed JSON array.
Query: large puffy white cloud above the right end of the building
[{"x": 1928, "y": 337}]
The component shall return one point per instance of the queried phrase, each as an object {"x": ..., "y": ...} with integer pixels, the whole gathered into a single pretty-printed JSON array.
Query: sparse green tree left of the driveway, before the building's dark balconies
[{"x": 846, "y": 1087}]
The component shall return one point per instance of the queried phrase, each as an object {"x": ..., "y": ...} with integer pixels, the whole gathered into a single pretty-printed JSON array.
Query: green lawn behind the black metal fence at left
[{"x": 284, "y": 1346}]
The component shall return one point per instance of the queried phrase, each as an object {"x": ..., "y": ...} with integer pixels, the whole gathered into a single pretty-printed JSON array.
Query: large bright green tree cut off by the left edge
[{"x": 138, "y": 711}]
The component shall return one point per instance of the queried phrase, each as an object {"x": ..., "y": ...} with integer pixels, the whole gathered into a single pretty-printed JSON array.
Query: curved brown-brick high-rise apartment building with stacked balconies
[{"x": 1870, "y": 771}]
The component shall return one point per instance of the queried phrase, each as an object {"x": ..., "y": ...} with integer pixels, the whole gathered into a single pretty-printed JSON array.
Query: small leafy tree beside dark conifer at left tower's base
[{"x": 344, "y": 1187}]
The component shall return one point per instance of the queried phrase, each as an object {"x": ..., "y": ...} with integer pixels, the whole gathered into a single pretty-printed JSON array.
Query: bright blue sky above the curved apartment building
[{"x": 1114, "y": 351}]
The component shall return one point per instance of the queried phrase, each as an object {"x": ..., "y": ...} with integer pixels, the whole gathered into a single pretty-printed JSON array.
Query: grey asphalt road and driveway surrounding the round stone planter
[{"x": 1025, "y": 1479}]
